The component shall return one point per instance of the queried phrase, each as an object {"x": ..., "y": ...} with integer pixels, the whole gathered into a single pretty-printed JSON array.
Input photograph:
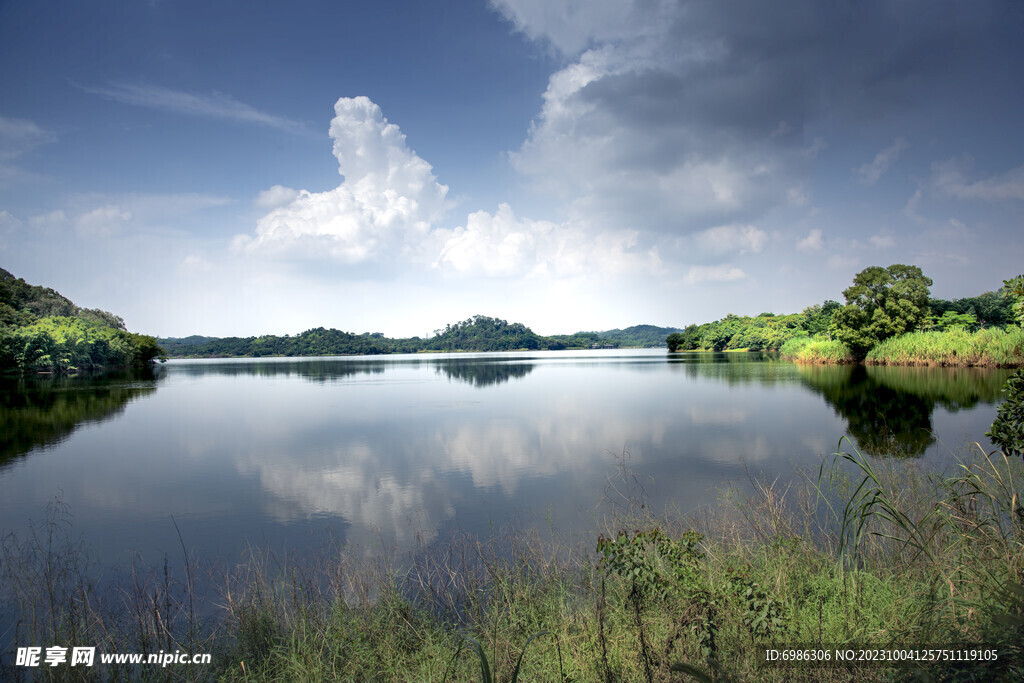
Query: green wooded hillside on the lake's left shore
[{"x": 42, "y": 331}]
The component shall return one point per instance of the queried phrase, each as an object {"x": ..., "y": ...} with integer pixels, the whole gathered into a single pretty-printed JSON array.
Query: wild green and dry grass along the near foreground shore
[{"x": 862, "y": 552}]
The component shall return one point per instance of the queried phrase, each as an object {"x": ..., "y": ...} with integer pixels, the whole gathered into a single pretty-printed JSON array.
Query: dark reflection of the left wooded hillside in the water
[{"x": 40, "y": 411}]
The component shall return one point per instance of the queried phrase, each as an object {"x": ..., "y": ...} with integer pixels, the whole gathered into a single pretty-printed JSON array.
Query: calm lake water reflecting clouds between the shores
[{"x": 393, "y": 452}]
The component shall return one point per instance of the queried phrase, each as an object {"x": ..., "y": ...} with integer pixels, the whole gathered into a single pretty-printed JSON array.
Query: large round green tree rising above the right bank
[{"x": 880, "y": 305}]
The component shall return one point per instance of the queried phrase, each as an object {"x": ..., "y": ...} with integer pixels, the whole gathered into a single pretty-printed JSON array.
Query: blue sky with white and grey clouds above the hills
[{"x": 238, "y": 168}]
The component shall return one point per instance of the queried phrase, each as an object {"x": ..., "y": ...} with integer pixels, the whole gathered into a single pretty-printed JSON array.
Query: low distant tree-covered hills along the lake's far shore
[{"x": 480, "y": 333}]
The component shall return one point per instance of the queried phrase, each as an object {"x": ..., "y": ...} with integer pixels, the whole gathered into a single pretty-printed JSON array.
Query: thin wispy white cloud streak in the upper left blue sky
[{"x": 216, "y": 106}]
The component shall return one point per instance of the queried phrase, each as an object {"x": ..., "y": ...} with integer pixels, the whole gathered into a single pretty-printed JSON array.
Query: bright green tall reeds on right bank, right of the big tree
[{"x": 992, "y": 348}]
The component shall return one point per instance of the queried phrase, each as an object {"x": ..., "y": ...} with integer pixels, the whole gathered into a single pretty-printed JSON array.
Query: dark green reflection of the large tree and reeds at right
[{"x": 889, "y": 410}]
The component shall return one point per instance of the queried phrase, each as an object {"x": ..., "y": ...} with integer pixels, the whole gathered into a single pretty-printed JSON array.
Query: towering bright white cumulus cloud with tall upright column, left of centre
[{"x": 387, "y": 203}]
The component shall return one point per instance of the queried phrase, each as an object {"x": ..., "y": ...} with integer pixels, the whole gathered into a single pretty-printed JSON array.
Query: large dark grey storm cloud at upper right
[{"x": 684, "y": 115}]
